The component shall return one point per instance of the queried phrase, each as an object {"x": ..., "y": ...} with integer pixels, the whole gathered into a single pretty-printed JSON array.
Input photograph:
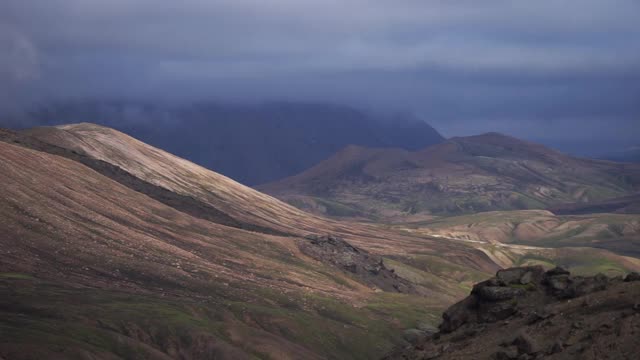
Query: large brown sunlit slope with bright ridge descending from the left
[{"x": 112, "y": 248}]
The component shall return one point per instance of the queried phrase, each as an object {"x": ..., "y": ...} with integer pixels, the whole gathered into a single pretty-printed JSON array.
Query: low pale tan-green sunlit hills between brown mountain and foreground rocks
[{"x": 497, "y": 230}]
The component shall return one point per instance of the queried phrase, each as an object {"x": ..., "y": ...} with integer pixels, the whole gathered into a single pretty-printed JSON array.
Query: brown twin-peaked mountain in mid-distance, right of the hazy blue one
[{"x": 462, "y": 175}]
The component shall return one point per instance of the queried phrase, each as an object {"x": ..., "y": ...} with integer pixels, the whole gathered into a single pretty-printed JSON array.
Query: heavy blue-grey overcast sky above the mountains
[{"x": 565, "y": 71}]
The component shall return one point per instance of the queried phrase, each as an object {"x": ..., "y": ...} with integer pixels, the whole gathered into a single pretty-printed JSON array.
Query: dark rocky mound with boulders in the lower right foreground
[{"x": 530, "y": 313}]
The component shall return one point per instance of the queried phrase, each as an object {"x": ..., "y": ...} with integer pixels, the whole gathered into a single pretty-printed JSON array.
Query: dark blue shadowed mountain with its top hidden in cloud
[{"x": 252, "y": 144}]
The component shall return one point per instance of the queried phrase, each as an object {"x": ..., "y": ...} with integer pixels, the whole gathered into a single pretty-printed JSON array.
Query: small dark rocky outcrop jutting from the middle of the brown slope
[{"x": 366, "y": 267}]
